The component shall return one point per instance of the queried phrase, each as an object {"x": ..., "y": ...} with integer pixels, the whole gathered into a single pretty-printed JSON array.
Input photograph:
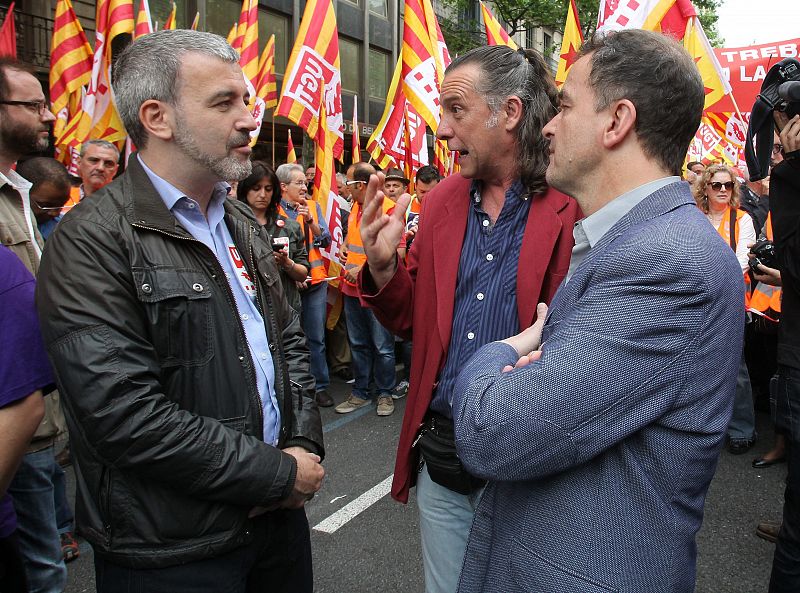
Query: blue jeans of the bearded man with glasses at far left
[{"x": 33, "y": 492}]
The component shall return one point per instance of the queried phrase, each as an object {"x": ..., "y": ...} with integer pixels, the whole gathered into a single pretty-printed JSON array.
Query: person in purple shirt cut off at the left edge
[{"x": 24, "y": 373}]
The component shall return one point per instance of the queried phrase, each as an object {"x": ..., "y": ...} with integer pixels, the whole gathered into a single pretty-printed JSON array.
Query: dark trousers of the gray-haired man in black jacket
[{"x": 278, "y": 560}]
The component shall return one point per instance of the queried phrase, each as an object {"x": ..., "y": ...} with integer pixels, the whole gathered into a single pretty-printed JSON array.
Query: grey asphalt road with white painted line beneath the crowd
[{"x": 365, "y": 542}]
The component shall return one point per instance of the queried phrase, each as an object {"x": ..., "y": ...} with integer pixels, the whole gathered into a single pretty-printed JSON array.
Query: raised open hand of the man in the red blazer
[{"x": 381, "y": 233}]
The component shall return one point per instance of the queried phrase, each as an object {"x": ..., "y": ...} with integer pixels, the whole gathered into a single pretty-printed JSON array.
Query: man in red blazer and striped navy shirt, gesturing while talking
[{"x": 493, "y": 241}]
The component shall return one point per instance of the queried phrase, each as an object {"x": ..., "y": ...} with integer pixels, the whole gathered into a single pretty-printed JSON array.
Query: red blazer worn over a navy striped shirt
[{"x": 418, "y": 301}]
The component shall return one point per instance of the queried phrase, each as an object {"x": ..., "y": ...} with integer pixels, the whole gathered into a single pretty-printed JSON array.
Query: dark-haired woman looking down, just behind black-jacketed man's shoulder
[{"x": 262, "y": 192}]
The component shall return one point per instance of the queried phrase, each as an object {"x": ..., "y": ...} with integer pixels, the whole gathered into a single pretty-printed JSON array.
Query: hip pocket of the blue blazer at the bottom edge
[{"x": 534, "y": 573}]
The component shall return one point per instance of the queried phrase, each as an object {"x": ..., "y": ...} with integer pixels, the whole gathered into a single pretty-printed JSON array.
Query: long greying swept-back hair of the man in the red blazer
[{"x": 523, "y": 74}]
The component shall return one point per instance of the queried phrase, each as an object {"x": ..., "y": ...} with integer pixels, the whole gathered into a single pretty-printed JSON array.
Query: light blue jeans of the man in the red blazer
[{"x": 445, "y": 518}]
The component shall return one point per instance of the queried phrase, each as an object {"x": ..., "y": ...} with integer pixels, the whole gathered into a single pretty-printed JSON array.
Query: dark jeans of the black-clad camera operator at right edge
[{"x": 785, "y": 577}]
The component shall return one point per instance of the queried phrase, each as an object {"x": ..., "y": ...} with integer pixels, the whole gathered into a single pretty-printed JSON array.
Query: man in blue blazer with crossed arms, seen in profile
[{"x": 600, "y": 432}]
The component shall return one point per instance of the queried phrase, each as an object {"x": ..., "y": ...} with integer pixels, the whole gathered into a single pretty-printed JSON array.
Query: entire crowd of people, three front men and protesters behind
[{"x": 571, "y": 338}]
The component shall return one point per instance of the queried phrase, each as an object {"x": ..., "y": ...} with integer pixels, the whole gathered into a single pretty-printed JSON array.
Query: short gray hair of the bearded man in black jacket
[{"x": 149, "y": 68}]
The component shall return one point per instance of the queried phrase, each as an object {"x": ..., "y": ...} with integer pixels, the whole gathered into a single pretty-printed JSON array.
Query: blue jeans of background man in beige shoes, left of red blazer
[{"x": 372, "y": 349}]
